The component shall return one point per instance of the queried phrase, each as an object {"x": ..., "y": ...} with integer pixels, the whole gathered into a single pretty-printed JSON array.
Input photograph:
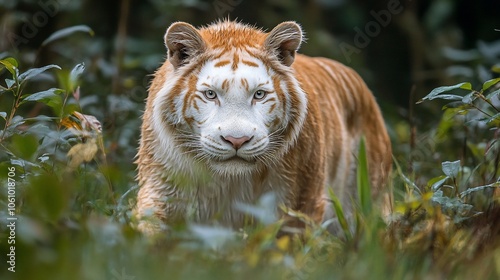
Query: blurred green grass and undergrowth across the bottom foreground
[{"x": 67, "y": 231}]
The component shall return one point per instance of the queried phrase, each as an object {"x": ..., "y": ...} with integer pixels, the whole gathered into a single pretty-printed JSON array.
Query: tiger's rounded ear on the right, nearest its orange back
[{"x": 284, "y": 40}]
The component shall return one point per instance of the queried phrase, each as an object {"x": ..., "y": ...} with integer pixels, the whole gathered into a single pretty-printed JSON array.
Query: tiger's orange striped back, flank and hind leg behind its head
[{"x": 348, "y": 111}]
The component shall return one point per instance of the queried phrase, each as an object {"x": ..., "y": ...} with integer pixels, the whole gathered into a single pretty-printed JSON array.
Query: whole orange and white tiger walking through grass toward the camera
[{"x": 235, "y": 113}]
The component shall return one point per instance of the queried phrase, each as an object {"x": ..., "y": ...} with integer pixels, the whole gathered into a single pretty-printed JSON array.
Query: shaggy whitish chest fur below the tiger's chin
[{"x": 231, "y": 201}]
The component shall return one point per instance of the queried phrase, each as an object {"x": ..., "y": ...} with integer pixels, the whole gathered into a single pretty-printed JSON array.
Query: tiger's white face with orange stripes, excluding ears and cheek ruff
[{"x": 235, "y": 111}]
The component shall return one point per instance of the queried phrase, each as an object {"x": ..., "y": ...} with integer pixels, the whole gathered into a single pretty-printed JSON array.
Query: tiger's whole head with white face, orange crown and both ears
[{"x": 230, "y": 98}]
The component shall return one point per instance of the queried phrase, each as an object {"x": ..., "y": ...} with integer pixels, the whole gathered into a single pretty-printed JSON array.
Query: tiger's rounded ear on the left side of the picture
[{"x": 183, "y": 41}]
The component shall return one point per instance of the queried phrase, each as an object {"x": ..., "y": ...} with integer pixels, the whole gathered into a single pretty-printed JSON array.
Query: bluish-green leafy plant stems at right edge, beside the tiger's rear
[{"x": 478, "y": 110}]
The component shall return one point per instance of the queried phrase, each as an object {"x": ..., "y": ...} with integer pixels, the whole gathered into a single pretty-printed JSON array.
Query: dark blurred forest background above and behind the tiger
[{"x": 415, "y": 48}]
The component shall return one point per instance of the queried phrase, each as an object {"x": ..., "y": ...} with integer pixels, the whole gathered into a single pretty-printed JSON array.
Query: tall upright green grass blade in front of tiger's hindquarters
[{"x": 364, "y": 193}]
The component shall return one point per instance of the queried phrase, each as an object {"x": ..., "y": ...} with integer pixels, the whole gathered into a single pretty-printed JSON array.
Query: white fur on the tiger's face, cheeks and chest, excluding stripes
[{"x": 217, "y": 182}]
